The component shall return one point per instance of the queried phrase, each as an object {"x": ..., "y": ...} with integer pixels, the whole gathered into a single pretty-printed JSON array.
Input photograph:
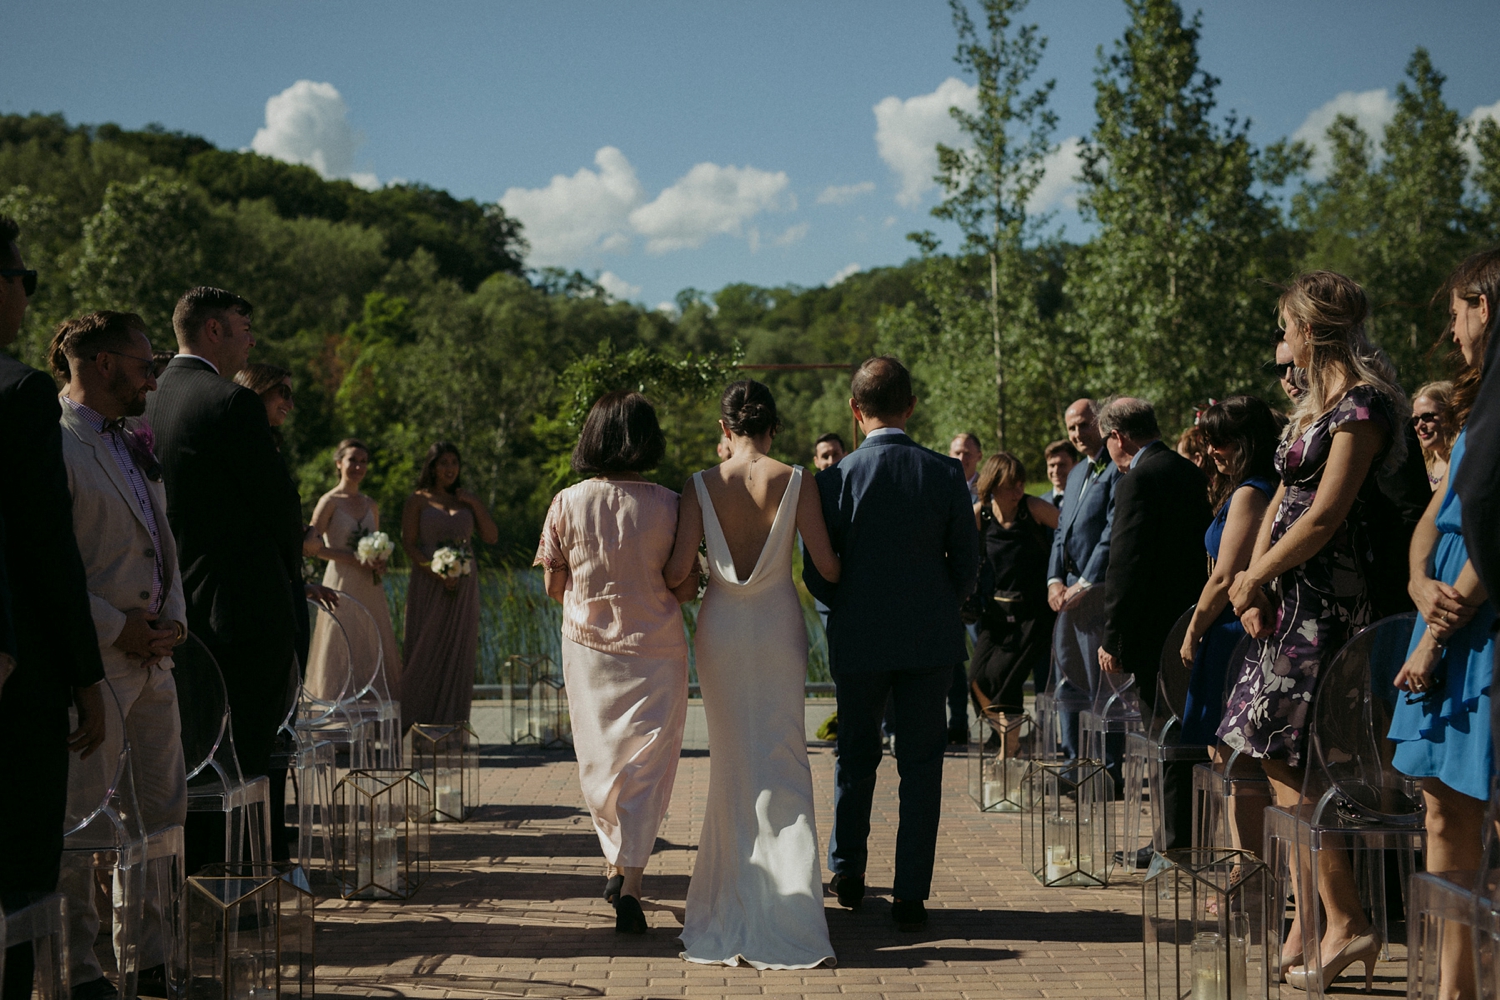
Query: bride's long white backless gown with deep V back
[{"x": 757, "y": 894}]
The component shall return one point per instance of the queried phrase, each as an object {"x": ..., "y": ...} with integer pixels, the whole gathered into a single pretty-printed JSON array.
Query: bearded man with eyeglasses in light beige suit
[{"x": 140, "y": 615}]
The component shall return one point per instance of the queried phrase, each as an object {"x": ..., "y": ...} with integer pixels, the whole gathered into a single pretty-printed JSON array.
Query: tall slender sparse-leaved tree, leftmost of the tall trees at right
[{"x": 988, "y": 184}]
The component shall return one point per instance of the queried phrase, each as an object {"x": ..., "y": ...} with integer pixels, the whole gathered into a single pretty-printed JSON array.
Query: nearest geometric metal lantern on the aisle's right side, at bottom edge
[{"x": 1208, "y": 926}]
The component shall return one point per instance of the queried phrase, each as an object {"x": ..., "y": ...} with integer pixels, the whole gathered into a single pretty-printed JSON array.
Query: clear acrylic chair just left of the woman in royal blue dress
[{"x": 1150, "y": 752}]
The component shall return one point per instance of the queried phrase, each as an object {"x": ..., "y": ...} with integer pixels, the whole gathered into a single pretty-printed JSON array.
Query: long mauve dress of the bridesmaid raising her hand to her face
[{"x": 437, "y": 678}]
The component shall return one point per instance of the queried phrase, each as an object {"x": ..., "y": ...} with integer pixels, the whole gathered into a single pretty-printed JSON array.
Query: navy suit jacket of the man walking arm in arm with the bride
[{"x": 902, "y": 524}]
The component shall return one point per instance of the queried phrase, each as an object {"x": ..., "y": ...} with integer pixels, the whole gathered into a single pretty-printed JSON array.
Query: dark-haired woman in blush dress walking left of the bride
[{"x": 625, "y": 653}]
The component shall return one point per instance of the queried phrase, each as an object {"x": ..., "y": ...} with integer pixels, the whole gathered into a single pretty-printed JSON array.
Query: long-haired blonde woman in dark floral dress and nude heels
[{"x": 1307, "y": 588}]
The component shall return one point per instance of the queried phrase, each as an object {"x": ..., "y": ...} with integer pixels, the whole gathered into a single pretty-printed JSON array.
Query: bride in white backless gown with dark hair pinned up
[{"x": 757, "y": 896}]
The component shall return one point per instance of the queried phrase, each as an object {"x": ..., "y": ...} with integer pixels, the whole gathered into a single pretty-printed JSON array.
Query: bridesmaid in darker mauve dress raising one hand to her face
[{"x": 437, "y": 678}]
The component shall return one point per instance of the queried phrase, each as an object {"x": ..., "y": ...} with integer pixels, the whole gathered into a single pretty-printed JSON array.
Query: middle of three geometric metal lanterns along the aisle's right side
[{"x": 1066, "y": 831}]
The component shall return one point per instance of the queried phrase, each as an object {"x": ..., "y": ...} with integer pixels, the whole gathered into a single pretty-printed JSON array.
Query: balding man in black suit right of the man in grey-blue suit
[{"x": 1157, "y": 569}]
